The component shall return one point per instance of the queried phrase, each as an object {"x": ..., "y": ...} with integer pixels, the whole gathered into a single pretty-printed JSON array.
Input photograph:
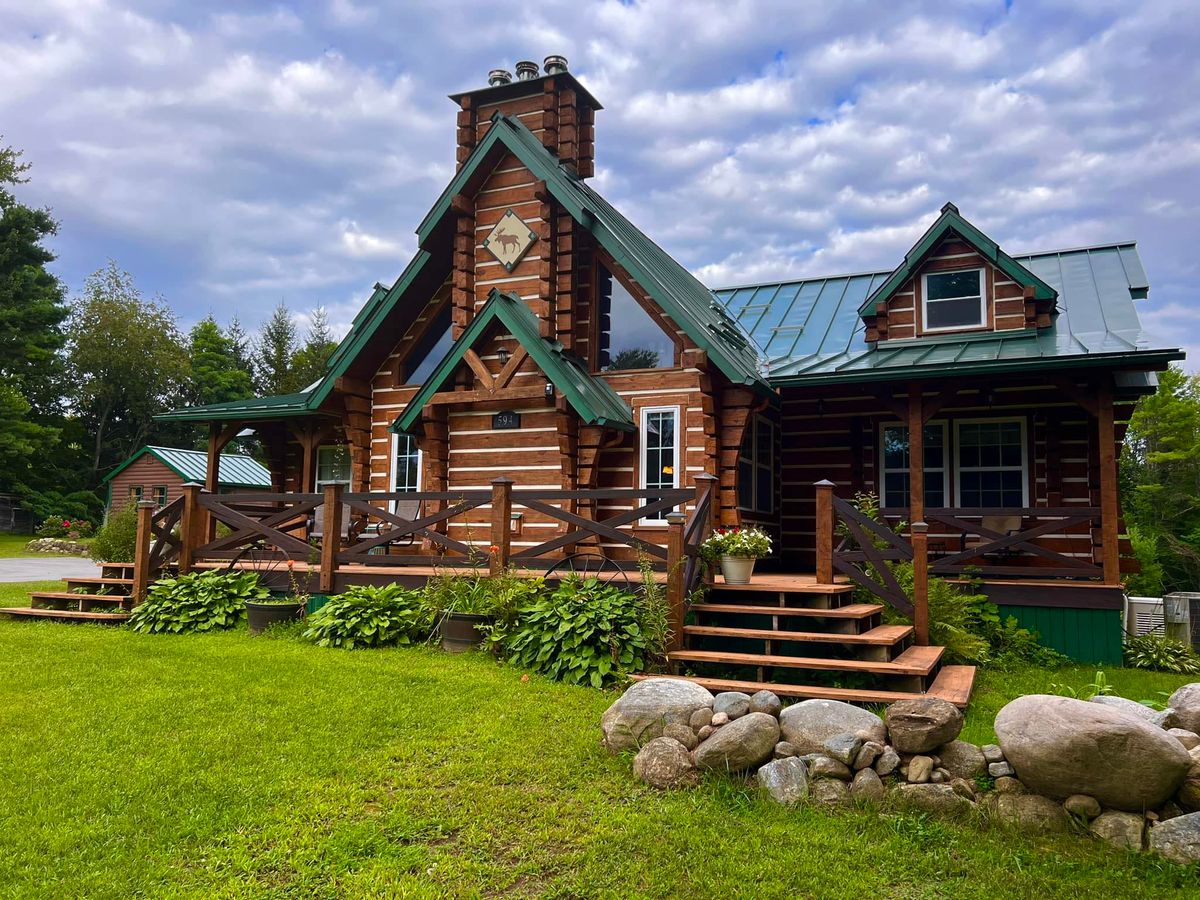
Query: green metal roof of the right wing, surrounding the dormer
[{"x": 812, "y": 332}]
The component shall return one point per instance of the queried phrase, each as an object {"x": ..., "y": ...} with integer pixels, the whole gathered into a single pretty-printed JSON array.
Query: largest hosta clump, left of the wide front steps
[{"x": 584, "y": 633}]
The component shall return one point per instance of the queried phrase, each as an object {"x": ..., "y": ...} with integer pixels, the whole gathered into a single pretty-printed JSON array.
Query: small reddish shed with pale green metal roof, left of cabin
[{"x": 159, "y": 475}]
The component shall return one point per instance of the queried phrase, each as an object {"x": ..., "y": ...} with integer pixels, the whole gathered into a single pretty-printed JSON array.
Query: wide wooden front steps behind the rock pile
[{"x": 793, "y": 637}]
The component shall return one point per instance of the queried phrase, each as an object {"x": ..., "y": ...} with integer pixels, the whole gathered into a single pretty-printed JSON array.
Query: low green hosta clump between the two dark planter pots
[{"x": 370, "y": 616}]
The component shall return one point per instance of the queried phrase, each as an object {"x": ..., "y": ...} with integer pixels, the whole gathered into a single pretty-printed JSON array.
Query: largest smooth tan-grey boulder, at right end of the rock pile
[{"x": 1061, "y": 747}]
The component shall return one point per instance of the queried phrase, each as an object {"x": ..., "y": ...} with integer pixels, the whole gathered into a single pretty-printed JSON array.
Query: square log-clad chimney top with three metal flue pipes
[{"x": 551, "y": 104}]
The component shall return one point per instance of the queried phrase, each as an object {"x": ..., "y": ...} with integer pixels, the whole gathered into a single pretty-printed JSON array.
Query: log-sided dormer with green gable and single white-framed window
[{"x": 956, "y": 280}]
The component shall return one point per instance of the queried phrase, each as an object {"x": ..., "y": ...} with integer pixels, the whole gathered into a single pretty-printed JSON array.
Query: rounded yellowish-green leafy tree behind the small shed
[{"x": 128, "y": 363}]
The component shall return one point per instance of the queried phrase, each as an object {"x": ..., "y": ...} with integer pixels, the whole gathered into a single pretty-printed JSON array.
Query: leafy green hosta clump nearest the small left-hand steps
[{"x": 199, "y": 602}]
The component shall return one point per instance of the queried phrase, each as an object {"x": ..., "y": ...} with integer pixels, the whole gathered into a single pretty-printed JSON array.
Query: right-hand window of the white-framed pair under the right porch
[{"x": 992, "y": 463}]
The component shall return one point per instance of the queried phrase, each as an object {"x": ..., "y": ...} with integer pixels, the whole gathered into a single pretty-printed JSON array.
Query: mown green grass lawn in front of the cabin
[{"x": 229, "y": 766}]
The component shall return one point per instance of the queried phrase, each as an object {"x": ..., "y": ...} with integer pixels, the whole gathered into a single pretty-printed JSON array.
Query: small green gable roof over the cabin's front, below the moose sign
[{"x": 591, "y": 397}]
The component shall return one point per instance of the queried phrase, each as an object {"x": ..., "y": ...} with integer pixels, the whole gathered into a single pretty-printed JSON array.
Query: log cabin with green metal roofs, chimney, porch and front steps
[{"x": 544, "y": 381}]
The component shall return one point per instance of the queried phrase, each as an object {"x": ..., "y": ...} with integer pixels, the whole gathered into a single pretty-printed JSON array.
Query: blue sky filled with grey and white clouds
[{"x": 233, "y": 155}]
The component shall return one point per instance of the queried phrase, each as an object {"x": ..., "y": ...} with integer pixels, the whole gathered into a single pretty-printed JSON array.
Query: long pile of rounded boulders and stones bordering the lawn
[{"x": 1131, "y": 776}]
